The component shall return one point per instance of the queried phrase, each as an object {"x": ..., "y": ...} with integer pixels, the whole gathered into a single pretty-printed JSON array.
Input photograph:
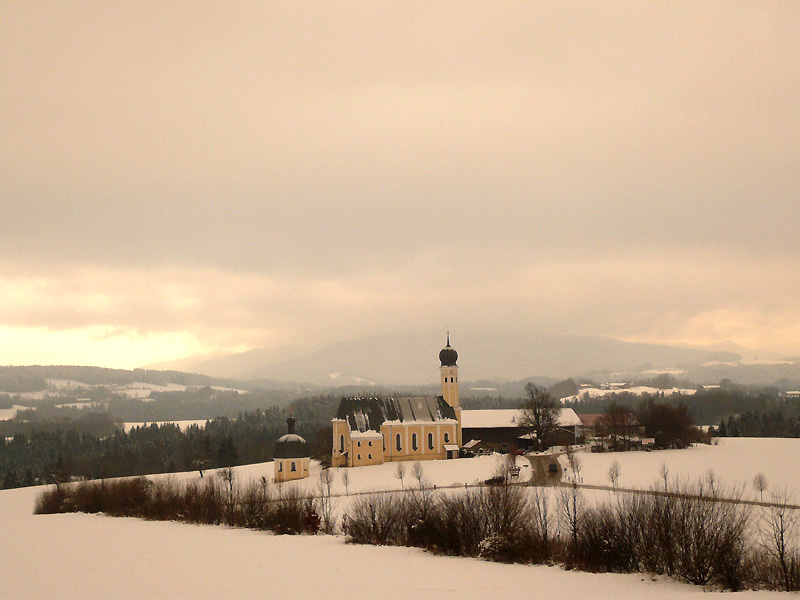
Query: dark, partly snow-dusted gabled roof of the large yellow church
[{"x": 365, "y": 414}]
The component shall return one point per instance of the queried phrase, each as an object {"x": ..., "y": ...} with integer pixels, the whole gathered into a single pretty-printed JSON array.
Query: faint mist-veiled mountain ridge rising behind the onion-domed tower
[{"x": 412, "y": 359}]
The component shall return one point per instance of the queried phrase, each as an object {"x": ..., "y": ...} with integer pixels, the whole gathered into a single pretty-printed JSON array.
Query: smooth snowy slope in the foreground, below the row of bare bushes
[{"x": 88, "y": 557}]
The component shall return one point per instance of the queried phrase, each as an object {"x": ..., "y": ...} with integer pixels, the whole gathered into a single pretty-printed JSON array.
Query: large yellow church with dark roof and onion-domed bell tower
[{"x": 372, "y": 431}]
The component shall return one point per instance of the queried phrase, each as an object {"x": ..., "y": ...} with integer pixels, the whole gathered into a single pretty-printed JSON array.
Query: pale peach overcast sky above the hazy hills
[{"x": 192, "y": 177}]
